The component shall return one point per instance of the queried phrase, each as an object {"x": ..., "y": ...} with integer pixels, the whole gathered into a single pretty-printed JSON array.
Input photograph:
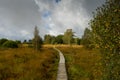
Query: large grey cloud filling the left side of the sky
[{"x": 17, "y": 16}]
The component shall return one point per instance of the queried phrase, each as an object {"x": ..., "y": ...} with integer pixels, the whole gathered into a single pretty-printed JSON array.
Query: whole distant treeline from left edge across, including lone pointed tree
[{"x": 67, "y": 38}]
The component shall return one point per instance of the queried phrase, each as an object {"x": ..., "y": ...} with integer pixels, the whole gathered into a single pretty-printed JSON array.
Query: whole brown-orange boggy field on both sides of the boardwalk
[{"x": 27, "y": 64}]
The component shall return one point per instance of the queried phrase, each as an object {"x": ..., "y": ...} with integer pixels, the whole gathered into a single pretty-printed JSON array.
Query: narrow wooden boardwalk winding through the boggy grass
[{"x": 62, "y": 74}]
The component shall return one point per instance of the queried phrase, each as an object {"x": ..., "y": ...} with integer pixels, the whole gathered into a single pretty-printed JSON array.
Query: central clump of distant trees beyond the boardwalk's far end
[{"x": 67, "y": 38}]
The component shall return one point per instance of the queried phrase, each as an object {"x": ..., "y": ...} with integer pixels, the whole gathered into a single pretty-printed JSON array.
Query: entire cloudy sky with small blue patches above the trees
[{"x": 18, "y": 18}]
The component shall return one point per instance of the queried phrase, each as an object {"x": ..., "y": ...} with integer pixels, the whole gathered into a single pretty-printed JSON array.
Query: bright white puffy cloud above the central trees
[{"x": 65, "y": 14}]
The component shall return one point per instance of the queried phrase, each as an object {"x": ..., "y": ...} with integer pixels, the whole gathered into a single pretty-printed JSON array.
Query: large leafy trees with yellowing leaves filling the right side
[{"x": 104, "y": 34}]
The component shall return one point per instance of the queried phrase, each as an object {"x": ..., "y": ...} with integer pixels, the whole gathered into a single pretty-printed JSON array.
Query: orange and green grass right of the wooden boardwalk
[{"x": 82, "y": 64}]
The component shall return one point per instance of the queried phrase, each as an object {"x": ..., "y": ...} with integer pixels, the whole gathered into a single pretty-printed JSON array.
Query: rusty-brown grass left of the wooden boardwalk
[{"x": 26, "y": 64}]
